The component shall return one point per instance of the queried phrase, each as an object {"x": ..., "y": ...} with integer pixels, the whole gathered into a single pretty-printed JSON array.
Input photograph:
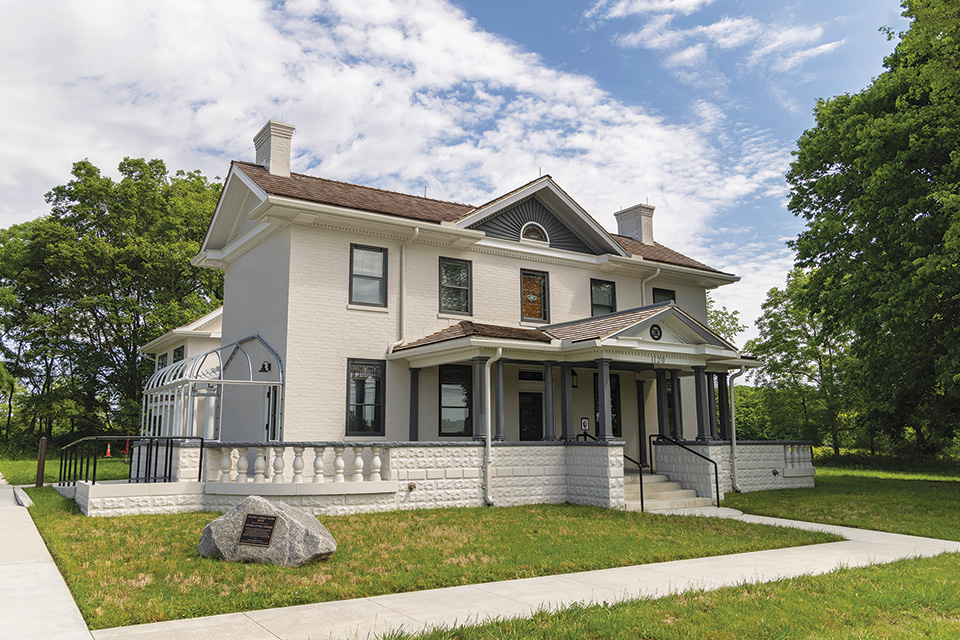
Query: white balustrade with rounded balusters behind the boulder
[{"x": 270, "y": 463}]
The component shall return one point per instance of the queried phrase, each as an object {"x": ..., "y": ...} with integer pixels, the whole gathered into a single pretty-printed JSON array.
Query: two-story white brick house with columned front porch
[{"x": 383, "y": 319}]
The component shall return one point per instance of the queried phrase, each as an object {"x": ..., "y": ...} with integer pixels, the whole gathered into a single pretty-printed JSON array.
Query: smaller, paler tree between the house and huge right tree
[{"x": 803, "y": 362}]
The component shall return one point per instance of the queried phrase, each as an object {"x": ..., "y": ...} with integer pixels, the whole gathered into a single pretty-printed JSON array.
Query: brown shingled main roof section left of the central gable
[{"x": 343, "y": 194}]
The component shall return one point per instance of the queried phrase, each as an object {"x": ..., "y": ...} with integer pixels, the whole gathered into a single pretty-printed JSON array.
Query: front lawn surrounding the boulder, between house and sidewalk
[{"x": 130, "y": 570}]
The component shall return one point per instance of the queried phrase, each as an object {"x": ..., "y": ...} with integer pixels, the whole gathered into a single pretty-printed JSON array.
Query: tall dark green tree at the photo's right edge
[{"x": 877, "y": 180}]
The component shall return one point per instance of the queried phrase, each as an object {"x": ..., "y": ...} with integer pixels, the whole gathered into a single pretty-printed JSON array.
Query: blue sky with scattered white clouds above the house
[{"x": 691, "y": 105}]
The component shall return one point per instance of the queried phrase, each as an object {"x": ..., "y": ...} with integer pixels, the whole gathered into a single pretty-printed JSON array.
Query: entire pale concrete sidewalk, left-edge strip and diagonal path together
[{"x": 36, "y": 604}]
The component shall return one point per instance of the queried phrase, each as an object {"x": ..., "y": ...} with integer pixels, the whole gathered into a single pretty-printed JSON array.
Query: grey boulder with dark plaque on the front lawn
[{"x": 257, "y": 530}]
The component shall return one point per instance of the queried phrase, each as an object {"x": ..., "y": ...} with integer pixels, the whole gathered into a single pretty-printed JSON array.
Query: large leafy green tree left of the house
[{"x": 83, "y": 287}]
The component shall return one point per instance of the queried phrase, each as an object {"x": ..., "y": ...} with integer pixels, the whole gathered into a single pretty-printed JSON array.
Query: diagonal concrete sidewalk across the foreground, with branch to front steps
[{"x": 422, "y": 610}]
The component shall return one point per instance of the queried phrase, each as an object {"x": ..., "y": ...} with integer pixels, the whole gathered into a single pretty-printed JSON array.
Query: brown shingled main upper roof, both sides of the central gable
[{"x": 344, "y": 194}]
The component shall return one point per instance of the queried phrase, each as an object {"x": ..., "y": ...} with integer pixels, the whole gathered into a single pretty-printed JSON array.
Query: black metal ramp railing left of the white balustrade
[{"x": 78, "y": 460}]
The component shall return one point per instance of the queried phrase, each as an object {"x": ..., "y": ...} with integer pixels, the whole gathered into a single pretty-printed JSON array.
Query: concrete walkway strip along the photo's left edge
[{"x": 35, "y": 603}]
